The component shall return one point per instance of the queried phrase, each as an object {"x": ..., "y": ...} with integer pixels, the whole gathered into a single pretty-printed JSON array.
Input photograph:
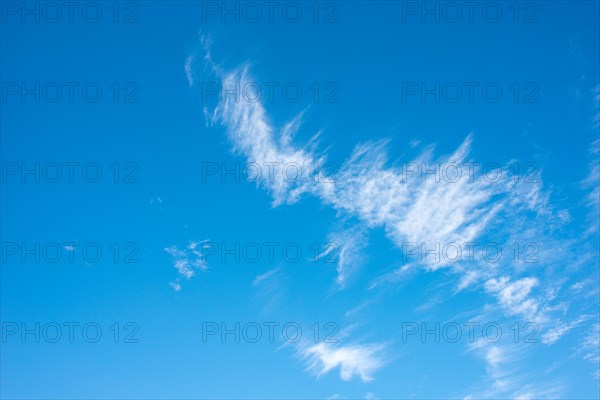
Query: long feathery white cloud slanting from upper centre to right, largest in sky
[{"x": 409, "y": 209}]
